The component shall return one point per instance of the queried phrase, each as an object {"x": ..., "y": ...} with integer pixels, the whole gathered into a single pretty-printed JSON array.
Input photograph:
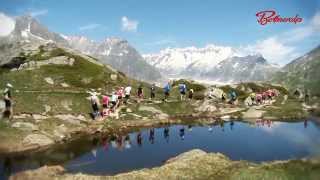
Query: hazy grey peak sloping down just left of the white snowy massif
[{"x": 119, "y": 54}]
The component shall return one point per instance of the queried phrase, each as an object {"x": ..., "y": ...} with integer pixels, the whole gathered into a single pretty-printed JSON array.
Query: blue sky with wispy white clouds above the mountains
[{"x": 154, "y": 25}]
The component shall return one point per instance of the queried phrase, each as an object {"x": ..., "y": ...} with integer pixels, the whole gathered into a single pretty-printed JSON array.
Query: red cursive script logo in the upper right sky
[{"x": 271, "y": 16}]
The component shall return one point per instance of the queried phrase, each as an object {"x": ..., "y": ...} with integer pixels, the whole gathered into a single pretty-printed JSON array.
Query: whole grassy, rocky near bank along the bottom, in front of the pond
[{"x": 195, "y": 164}]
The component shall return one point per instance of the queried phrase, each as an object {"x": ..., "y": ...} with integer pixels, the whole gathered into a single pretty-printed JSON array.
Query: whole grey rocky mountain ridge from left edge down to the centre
[{"x": 29, "y": 34}]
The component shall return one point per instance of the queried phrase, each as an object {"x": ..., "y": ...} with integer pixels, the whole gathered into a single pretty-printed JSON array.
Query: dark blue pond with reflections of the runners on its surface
[{"x": 272, "y": 141}]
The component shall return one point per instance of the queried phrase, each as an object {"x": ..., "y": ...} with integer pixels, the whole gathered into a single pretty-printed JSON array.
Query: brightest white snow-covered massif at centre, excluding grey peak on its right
[{"x": 174, "y": 61}]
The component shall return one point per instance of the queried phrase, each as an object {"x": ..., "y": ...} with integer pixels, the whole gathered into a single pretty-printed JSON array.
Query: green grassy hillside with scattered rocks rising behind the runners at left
[{"x": 67, "y": 93}]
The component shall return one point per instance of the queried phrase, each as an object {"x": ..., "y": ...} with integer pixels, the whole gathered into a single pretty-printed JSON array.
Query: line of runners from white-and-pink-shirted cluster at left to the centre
[{"x": 122, "y": 96}]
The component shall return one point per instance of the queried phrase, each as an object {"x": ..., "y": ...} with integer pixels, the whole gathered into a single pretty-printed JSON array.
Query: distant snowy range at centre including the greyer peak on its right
[{"x": 214, "y": 63}]
